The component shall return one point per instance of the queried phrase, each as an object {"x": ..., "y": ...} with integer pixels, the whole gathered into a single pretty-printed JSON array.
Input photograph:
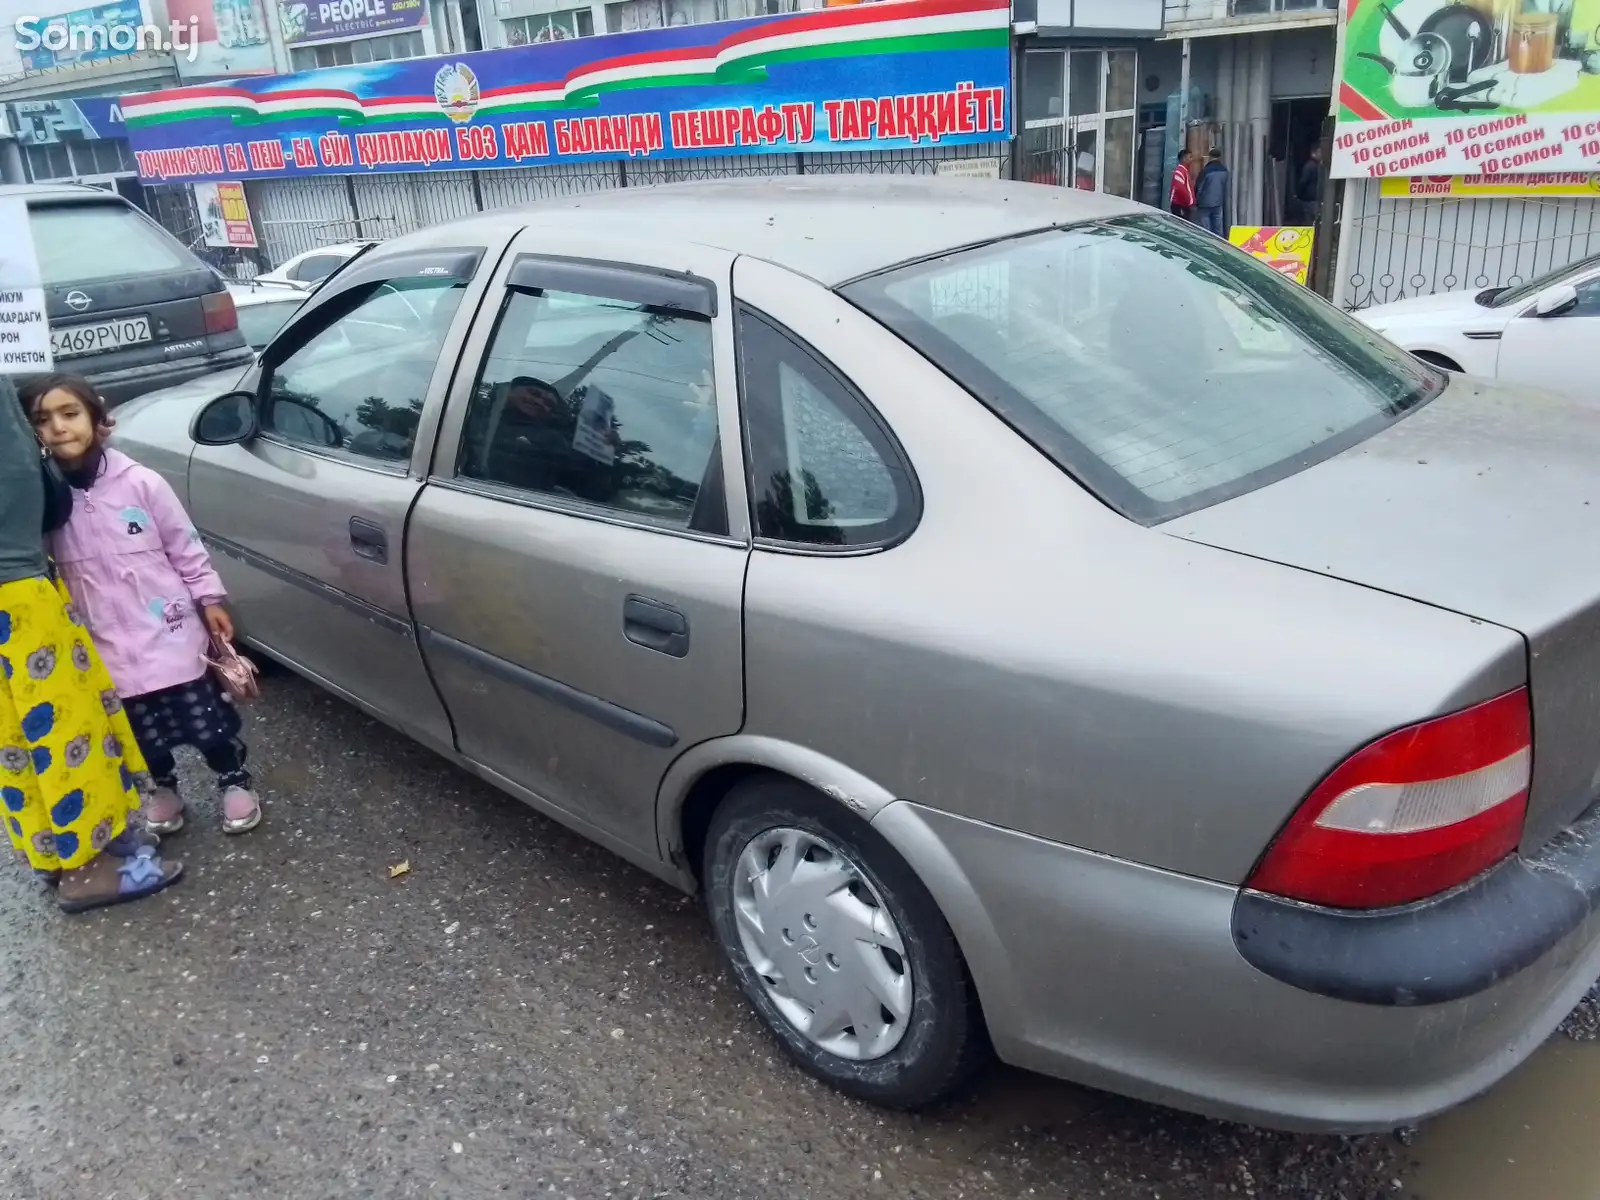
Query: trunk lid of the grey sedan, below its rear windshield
[{"x": 1486, "y": 503}]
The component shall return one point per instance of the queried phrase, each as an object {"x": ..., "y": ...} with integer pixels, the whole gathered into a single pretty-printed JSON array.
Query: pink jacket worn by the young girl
[{"x": 138, "y": 570}]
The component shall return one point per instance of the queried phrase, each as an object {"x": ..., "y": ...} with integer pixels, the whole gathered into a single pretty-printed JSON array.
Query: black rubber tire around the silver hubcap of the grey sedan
[{"x": 945, "y": 1042}]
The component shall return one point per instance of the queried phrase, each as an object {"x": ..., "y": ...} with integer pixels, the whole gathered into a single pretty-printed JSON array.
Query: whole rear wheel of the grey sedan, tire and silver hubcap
[{"x": 839, "y": 946}]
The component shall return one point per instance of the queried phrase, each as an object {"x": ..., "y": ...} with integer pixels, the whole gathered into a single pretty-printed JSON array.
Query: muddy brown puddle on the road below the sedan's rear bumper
[{"x": 1535, "y": 1137}]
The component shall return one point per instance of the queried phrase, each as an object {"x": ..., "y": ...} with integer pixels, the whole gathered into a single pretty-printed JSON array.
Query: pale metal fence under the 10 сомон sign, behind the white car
[{"x": 1393, "y": 249}]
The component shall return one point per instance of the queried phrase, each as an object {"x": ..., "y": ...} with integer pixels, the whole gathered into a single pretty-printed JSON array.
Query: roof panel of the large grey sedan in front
[{"x": 828, "y": 228}]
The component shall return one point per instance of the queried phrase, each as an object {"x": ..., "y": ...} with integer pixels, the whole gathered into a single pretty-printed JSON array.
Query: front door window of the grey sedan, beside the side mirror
[{"x": 358, "y": 385}]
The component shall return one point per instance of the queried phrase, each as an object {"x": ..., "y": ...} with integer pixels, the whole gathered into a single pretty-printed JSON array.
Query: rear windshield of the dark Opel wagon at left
[{"x": 82, "y": 244}]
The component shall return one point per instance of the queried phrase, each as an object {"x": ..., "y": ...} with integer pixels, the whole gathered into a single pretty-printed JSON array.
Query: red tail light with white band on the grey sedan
[{"x": 1412, "y": 815}]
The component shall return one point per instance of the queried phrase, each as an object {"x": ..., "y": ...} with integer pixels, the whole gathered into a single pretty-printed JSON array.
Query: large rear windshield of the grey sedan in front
[{"x": 1158, "y": 364}]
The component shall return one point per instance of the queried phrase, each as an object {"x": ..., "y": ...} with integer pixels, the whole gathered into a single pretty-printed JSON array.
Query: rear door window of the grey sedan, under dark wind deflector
[{"x": 602, "y": 402}]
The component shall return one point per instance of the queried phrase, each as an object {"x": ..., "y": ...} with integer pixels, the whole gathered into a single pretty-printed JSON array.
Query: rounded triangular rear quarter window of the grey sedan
[{"x": 825, "y": 470}]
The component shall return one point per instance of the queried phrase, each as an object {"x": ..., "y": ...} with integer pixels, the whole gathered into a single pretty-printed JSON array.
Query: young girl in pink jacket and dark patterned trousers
[{"x": 153, "y": 602}]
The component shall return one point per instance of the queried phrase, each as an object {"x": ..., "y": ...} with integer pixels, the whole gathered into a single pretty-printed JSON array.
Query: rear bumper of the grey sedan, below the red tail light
[{"x": 1129, "y": 978}]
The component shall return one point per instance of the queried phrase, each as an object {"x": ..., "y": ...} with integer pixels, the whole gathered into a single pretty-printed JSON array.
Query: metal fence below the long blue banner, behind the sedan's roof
[{"x": 298, "y": 215}]
